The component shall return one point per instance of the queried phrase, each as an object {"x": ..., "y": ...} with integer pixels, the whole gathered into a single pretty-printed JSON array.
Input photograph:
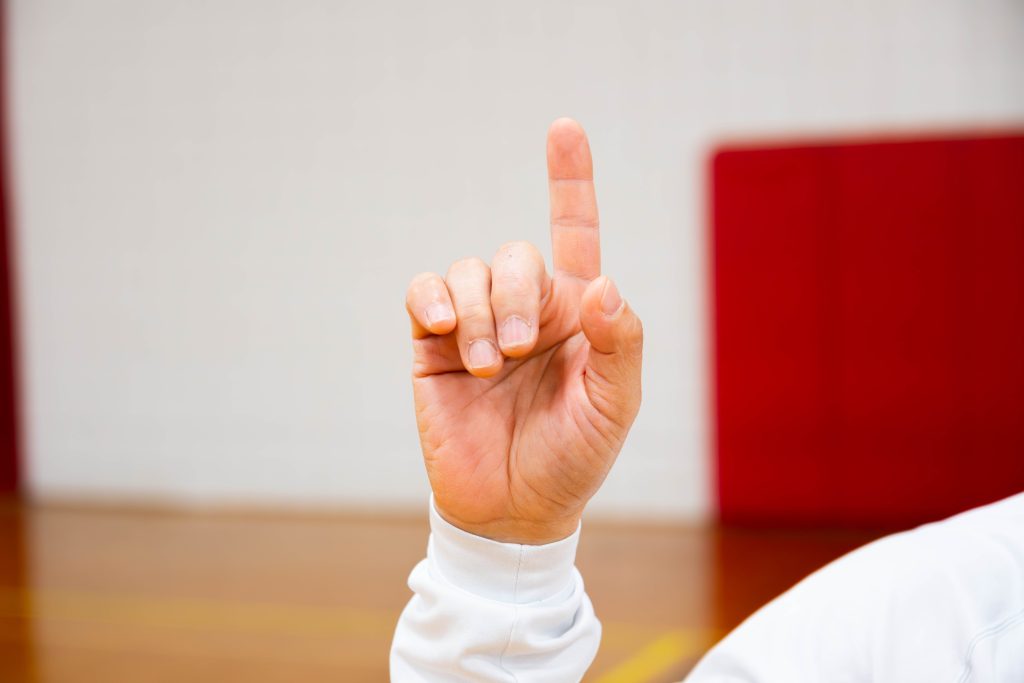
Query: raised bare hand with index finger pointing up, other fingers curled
[{"x": 526, "y": 385}]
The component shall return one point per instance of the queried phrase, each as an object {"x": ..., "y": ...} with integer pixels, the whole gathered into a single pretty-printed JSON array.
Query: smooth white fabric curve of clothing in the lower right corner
[{"x": 945, "y": 603}]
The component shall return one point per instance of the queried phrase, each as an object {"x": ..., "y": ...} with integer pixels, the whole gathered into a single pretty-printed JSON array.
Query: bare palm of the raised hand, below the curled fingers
[{"x": 518, "y": 445}]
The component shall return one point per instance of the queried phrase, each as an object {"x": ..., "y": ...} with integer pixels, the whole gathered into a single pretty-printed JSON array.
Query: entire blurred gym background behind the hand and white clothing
[{"x": 212, "y": 210}]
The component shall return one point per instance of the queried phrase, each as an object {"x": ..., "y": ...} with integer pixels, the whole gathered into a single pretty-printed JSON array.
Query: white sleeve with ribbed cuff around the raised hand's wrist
[{"x": 484, "y": 611}]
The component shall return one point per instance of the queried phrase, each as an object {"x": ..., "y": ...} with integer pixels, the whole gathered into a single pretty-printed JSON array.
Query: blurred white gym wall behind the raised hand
[{"x": 220, "y": 204}]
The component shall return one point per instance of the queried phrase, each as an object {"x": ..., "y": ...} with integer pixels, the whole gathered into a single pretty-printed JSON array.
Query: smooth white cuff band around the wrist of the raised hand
[{"x": 503, "y": 572}]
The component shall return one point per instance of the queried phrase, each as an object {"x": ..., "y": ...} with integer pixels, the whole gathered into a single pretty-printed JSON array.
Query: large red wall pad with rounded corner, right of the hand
[{"x": 869, "y": 329}]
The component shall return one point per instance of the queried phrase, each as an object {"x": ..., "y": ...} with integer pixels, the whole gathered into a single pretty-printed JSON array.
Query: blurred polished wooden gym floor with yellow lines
[{"x": 129, "y": 595}]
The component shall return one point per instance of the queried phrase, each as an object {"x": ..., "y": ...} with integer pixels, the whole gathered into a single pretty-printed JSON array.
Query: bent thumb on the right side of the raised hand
[{"x": 616, "y": 336}]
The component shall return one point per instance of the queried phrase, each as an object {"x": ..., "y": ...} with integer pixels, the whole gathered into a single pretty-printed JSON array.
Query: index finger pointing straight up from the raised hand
[{"x": 576, "y": 241}]
